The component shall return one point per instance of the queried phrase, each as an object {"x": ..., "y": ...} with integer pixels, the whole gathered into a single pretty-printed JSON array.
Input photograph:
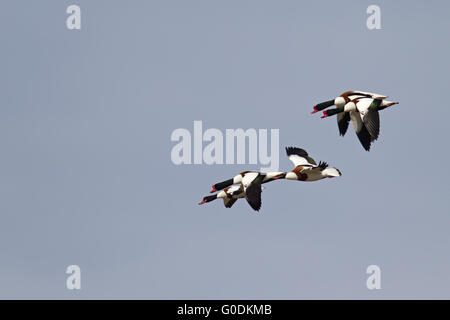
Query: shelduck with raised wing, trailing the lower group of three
[{"x": 306, "y": 168}]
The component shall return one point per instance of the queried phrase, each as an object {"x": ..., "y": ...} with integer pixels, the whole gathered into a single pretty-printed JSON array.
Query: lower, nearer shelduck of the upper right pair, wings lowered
[{"x": 364, "y": 113}]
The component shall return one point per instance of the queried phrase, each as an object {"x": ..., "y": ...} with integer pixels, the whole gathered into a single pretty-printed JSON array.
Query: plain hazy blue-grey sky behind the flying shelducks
[{"x": 87, "y": 179}]
